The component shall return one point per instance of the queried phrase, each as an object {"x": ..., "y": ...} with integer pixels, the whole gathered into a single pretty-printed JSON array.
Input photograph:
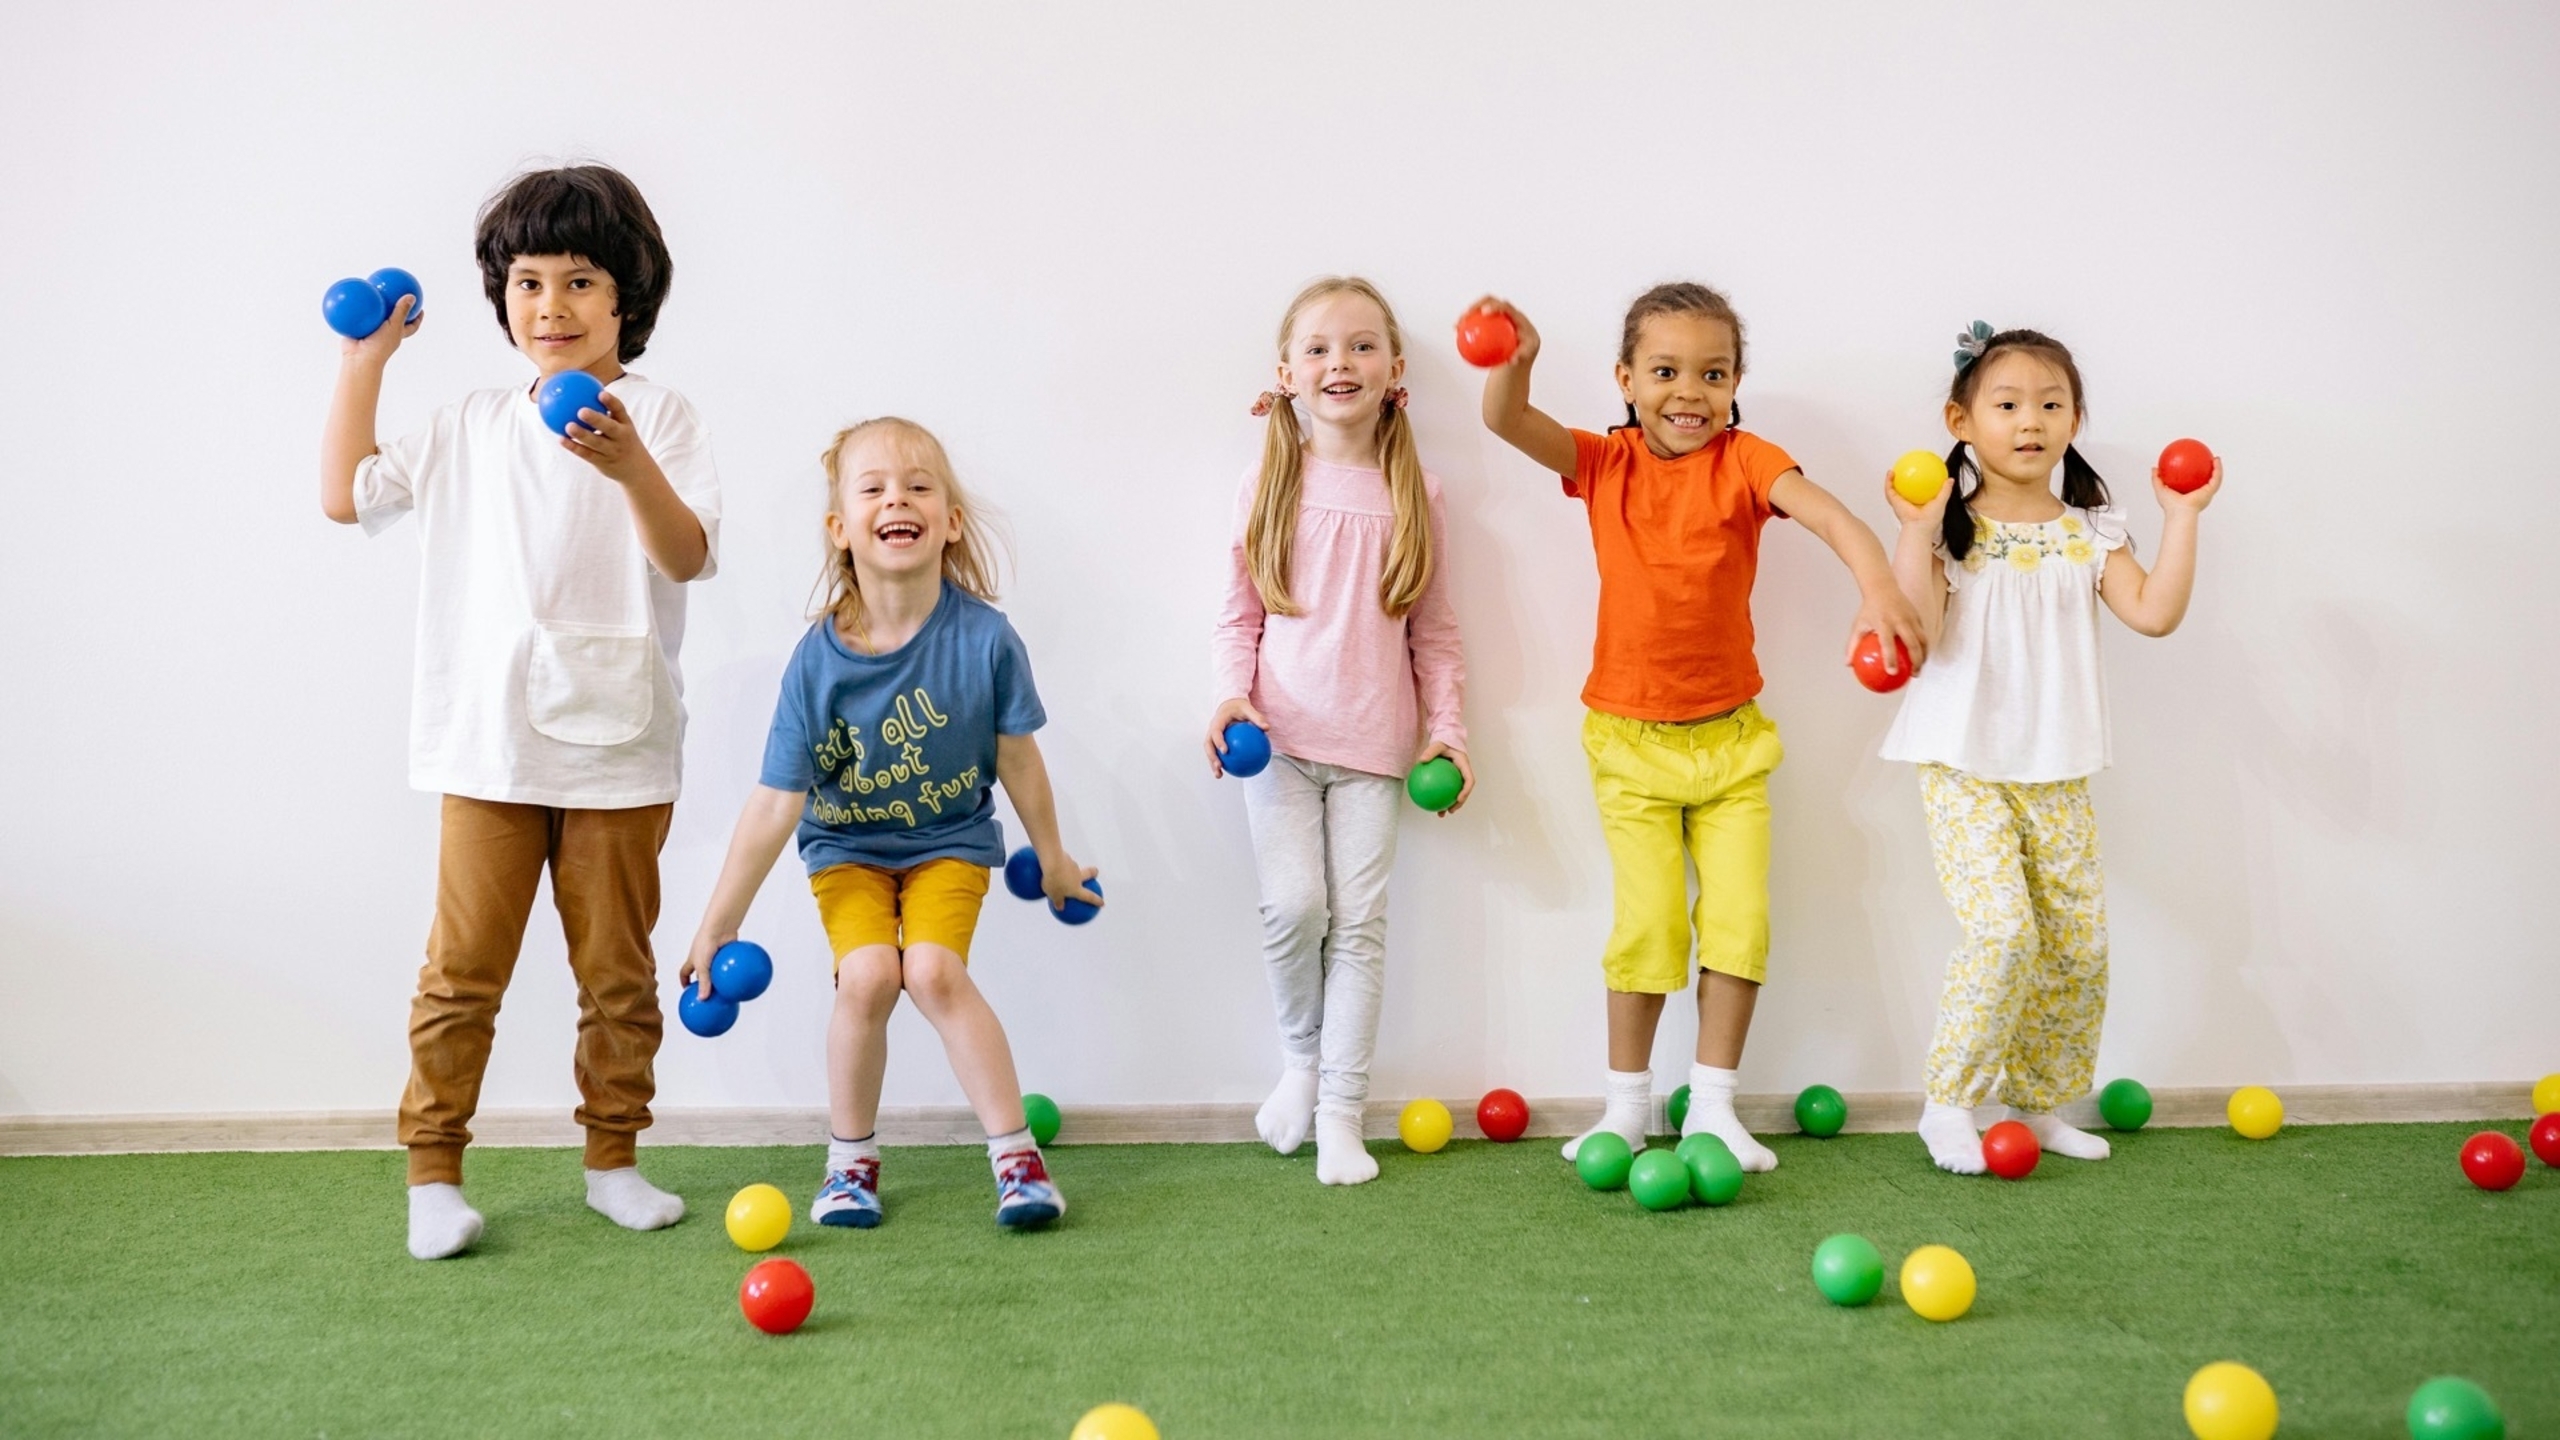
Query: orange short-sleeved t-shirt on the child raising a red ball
[{"x": 1678, "y": 547}]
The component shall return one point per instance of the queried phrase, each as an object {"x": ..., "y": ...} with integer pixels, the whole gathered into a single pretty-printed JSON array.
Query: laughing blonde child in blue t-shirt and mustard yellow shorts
[{"x": 905, "y": 703}]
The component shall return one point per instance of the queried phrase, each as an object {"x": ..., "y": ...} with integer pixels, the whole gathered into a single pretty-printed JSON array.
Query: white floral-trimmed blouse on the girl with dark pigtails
[{"x": 2013, "y": 691}]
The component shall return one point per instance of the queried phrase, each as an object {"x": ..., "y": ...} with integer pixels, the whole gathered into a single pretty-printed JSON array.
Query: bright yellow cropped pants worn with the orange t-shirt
[{"x": 1676, "y": 796}]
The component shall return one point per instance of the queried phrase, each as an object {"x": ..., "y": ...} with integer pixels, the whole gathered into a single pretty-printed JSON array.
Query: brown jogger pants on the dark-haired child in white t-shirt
[{"x": 605, "y": 885}]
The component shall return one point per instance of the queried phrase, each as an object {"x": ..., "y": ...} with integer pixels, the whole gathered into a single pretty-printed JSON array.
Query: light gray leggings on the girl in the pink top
[{"x": 1325, "y": 842}]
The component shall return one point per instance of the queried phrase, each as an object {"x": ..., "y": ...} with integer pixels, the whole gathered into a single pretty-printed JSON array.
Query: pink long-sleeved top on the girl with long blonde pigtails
[{"x": 1345, "y": 683}]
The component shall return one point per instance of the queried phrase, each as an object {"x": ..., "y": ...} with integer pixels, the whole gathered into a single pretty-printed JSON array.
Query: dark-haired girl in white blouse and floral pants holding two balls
[{"x": 2008, "y": 721}]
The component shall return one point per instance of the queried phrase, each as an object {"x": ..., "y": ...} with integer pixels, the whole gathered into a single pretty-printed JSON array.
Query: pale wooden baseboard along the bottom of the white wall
[{"x": 1148, "y": 1124}]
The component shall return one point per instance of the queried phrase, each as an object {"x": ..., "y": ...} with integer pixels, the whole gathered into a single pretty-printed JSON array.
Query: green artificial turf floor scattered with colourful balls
[{"x": 1220, "y": 1288}]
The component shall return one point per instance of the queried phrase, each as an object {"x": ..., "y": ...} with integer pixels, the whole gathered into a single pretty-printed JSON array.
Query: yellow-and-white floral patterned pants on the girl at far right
[{"x": 2029, "y": 988}]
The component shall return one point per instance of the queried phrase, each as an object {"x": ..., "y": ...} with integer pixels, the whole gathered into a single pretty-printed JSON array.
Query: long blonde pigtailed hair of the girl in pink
[{"x": 1276, "y": 496}]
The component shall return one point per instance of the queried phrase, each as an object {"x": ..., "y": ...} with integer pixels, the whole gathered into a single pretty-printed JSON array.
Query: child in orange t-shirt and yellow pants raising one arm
[{"x": 1678, "y": 747}]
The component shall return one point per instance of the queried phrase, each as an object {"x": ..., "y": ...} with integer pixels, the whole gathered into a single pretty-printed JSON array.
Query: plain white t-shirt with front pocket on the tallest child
[{"x": 547, "y": 642}]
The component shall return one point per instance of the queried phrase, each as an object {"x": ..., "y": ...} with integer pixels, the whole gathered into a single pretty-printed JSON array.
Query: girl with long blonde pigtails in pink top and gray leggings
[{"x": 1340, "y": 642}]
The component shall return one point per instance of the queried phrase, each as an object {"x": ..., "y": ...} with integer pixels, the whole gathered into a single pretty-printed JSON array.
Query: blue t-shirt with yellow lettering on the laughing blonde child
[{"x": 897, "y": 755}]
